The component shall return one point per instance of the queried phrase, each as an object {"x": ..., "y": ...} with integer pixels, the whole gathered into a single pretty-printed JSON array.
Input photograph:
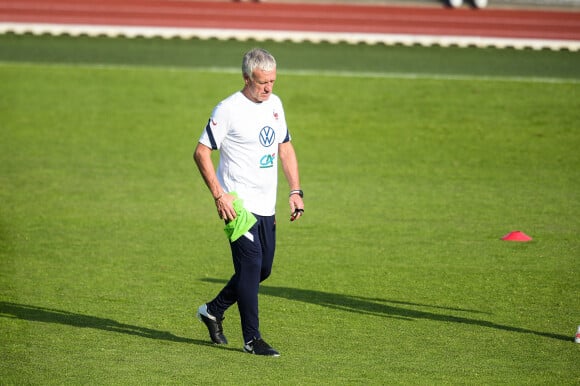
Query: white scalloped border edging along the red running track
[{"x": 292, "y": 36}]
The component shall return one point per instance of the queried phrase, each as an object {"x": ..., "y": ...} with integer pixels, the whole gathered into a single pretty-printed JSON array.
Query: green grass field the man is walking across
[{"x": 413, "y": 166}]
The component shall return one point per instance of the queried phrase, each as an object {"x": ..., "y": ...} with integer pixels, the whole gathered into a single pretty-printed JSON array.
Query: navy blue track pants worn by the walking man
[{"x": 253, "y": 261}]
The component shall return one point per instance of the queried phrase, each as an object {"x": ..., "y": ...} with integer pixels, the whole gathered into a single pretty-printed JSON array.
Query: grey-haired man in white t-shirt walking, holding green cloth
[{"x": 249, "y": 130}]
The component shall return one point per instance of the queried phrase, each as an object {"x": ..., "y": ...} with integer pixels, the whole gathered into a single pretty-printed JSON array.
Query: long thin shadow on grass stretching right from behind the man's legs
[{"x": 388, "y": 308}]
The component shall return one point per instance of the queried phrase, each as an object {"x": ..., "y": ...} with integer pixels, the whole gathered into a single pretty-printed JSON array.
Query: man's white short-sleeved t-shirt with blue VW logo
[{"x": 247, "y": 135}]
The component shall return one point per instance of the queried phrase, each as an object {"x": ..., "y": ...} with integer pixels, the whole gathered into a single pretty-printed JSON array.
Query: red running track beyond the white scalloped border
[{"x": 380, "y": 19}]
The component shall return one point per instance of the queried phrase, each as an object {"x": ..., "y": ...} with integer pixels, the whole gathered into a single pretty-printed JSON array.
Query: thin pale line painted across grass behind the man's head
[{"x": 343, "y": 74}]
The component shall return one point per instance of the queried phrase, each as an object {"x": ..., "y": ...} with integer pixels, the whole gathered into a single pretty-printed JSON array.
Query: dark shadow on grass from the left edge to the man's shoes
[{"x": 48, "y": 315}]
